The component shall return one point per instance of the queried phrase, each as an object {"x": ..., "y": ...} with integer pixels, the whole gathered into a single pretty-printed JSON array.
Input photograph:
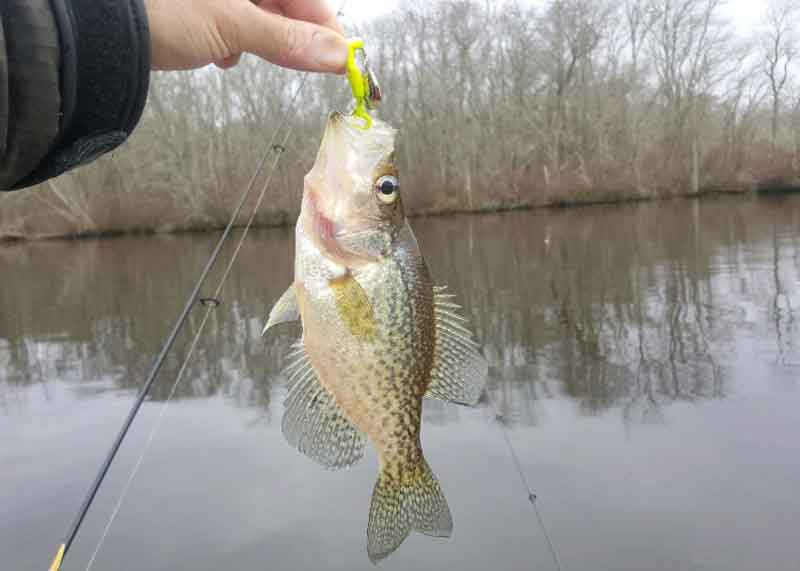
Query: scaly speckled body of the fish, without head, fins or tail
[{"x": 379, "y": 380}]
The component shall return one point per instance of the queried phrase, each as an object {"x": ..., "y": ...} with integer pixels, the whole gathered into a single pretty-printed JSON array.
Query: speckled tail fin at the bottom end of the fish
[{"x": 412, "y": 501}]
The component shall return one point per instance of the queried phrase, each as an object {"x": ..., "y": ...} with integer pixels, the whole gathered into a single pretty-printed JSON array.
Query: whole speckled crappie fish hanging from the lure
[{"x": 377, "y": 335}]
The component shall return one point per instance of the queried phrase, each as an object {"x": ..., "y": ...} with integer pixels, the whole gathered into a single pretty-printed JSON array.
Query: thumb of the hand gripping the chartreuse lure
[{"x": 290, "y": 43}]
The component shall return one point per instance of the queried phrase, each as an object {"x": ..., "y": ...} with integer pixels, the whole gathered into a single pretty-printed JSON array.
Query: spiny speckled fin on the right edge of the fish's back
[{"x": 459, "y": 370}]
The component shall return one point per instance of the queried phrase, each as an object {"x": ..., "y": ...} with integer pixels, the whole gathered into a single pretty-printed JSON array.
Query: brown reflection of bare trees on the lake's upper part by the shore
[{"x": 631, "y": 307}]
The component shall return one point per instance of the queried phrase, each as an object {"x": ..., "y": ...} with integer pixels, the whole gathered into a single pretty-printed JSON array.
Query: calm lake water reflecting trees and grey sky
[{"x": 644, "y": 361}]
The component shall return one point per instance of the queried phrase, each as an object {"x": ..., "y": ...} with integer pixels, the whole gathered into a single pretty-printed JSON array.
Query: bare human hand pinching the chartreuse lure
[{"x": 300, "y": 34}]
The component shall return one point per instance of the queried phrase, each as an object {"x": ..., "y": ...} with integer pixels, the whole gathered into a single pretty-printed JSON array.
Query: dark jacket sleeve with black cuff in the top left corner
[{"x": 73, "y": 82}]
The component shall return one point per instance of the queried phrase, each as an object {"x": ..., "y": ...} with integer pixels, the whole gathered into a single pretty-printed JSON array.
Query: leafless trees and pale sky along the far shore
[{"x": 500, "y": 105}]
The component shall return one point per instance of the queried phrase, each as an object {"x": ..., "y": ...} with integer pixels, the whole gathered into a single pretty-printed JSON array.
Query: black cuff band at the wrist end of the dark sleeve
[{"x": 105, "y": 74}]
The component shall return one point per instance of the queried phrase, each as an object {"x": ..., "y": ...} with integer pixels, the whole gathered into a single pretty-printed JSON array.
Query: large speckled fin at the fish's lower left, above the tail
[{"x": 313, "y": 422}]
